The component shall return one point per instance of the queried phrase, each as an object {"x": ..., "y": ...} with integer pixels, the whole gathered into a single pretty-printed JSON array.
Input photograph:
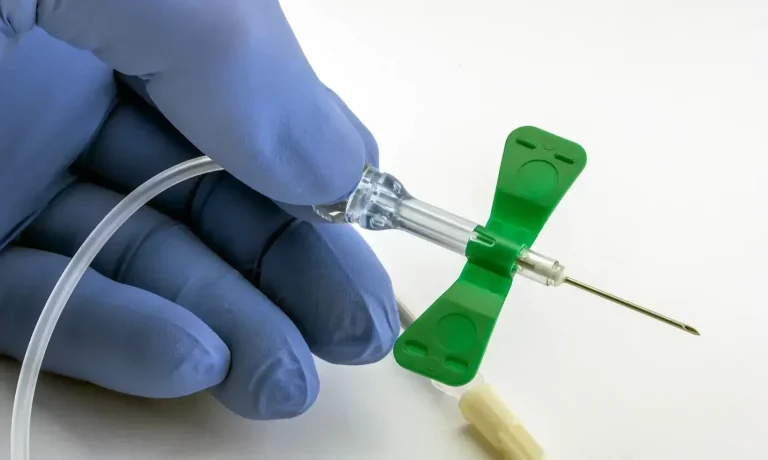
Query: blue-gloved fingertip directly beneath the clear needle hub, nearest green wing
[{"x": 335, "y": 290}]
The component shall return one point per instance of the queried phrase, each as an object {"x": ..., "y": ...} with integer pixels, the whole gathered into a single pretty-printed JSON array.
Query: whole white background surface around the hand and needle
[{"x": 669, "y": 99}]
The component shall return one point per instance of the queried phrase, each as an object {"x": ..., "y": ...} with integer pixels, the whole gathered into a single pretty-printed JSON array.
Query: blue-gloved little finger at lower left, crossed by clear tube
[{"x": 113, "y": 335}]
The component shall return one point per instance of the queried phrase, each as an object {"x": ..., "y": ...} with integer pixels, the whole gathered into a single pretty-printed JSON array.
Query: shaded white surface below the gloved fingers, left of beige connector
[{"x": 73, "y": 419}]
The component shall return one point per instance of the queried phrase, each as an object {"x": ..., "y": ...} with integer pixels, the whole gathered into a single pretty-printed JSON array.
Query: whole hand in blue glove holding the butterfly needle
[{"x": 214, "y": 286}]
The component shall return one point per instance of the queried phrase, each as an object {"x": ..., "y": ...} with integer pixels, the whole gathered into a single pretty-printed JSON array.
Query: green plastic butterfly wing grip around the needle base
[{"x": 447, "y": 343}]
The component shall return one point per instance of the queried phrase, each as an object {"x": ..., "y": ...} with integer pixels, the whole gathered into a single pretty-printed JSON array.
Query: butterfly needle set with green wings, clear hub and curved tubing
[{"x": 448, "y": 341}]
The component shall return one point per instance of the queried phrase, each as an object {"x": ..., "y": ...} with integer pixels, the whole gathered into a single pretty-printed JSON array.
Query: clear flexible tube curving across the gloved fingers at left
[{"x": 33, "y": 359}]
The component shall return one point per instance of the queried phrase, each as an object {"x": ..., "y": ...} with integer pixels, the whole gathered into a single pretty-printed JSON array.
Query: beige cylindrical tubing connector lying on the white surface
[{"x": 485, "y": 411}]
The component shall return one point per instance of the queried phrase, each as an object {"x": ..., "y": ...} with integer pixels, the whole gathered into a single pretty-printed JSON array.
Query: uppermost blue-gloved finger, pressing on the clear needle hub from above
[{"x": 233, "y": 79}]
